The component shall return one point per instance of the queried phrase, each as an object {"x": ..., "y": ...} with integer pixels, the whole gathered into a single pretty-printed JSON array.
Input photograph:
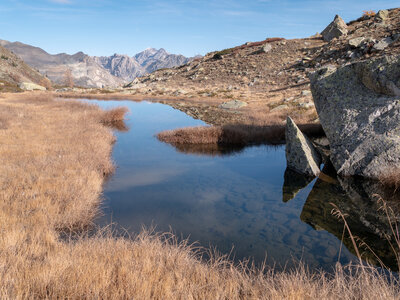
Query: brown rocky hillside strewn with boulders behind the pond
[{"x": 272, "y": 75}]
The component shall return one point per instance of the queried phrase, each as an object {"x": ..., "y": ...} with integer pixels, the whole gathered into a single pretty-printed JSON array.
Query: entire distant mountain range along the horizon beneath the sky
[{"x": 94, "y": 71}]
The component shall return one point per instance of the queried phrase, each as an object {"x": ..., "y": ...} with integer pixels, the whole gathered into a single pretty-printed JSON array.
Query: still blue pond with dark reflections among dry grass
[{"x": 236, "y": 200}]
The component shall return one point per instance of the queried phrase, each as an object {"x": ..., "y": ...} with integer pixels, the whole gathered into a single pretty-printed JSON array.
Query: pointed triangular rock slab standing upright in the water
[{"x": 301, "y": 155}]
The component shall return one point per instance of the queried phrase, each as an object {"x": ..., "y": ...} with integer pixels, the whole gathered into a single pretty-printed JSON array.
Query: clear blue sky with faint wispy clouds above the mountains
[{"x": 189, "y": 27}]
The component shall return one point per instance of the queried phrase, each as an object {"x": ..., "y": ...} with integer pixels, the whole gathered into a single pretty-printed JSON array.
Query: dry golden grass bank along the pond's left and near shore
[{"x": 54, "y": 156}]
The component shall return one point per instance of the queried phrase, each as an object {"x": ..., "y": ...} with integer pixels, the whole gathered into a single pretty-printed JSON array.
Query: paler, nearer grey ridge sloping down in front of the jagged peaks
[{"x": 85, "y": 70}]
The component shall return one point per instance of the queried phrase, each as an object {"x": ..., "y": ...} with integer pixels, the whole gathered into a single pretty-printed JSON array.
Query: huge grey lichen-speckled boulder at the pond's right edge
[{"x": 359, "y": 108}]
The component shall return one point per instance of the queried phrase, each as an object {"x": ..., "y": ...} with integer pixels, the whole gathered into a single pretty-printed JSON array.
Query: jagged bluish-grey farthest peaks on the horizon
[{"x": 147, "y": 61}]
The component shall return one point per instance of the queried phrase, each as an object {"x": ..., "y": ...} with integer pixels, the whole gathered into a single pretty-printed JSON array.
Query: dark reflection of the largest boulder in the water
[{"x": 354, "y": 198}]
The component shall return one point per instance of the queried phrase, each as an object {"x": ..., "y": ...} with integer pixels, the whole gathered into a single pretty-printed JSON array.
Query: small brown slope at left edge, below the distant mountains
[{"x": 16, "y": 75}]
